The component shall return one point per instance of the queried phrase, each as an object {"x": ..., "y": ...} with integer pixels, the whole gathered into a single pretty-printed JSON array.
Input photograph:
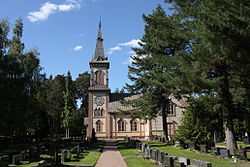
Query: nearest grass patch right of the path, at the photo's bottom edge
[{"x": 139, "y": 162}]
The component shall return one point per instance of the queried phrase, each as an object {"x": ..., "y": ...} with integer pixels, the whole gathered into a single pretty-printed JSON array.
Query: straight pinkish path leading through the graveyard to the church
[{"x": 111, "y": 156}]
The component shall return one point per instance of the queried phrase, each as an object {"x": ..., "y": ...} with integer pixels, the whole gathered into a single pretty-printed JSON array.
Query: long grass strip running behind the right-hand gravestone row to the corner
[{"x": 216, "y": 161}]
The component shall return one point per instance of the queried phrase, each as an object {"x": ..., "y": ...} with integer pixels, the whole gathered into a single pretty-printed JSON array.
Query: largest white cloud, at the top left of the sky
[{"x": 49, "y": 8}]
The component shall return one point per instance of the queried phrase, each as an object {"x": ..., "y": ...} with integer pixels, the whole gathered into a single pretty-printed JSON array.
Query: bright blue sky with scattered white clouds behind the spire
[{"x": 65, "y": 31}]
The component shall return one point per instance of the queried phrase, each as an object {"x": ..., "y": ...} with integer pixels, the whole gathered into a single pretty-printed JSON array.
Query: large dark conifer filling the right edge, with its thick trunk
[{"x": 217, "y": 30}]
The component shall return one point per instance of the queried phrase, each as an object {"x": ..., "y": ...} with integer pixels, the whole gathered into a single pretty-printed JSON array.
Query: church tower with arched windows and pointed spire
[{"x": 99, "y": 92}]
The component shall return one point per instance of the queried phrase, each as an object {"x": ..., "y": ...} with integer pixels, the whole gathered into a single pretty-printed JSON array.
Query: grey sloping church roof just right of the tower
[{"x": 115, "y": 101}]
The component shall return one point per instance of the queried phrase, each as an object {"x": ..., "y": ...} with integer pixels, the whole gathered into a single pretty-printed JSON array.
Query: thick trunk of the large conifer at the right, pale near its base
[{"x": 227, "y": 109}]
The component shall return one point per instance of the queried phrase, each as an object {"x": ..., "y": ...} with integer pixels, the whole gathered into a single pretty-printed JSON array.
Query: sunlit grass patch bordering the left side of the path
[{"x": 89, "y": 158}]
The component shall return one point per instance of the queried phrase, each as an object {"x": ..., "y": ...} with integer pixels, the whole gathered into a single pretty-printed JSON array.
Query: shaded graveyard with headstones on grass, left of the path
[{"x": 65, "y": 152}]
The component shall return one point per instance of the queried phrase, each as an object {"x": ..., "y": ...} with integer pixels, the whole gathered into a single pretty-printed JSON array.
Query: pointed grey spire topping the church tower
[{"x": 99, "y": 51}]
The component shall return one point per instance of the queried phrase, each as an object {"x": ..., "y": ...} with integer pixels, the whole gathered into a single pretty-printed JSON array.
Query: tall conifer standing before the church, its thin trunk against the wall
[{"x": 154, "y": 66}]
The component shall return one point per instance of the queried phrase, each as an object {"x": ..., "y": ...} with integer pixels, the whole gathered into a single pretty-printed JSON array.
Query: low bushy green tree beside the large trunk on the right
[{"x": 200, "y": 121}]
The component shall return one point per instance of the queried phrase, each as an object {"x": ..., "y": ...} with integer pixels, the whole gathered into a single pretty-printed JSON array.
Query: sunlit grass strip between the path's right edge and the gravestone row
[{"x": 130, "y": 154}]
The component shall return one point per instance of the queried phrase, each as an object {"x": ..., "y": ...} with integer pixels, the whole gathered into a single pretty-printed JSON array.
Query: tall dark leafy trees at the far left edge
[{"x": 20, "y": 82}]
